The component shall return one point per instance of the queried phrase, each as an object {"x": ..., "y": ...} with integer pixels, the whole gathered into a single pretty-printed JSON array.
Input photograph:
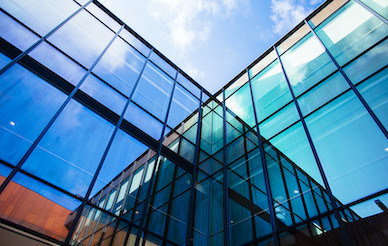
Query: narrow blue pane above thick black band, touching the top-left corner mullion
[{"x": 58, "y": 63}]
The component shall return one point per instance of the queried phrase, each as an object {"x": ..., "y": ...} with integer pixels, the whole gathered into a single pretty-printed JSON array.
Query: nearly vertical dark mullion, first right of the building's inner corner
[{"x": 225, "y": 177}]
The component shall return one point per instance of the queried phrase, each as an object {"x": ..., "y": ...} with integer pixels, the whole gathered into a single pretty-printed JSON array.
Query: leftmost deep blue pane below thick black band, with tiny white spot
[{"x": 27, "y": 104}]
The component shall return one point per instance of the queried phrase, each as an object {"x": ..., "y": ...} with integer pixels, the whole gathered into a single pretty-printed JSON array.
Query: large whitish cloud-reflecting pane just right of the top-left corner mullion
[{"x": 83, "y": 38}]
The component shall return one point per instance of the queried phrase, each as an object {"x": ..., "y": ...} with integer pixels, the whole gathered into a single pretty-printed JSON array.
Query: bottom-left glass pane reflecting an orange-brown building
[{"x": 36, "y": 206}]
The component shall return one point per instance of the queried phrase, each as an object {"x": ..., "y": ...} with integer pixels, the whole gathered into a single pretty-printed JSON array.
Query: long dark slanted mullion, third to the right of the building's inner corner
[{"x": 343, "y": 231}]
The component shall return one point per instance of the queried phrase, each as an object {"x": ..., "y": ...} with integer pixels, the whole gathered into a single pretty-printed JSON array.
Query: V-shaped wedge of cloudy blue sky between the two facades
[{"x": 212, "y": 40}]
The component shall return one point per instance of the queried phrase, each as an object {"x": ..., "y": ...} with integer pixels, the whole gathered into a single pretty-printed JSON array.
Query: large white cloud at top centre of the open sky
[{"x": 185, "y": 20}]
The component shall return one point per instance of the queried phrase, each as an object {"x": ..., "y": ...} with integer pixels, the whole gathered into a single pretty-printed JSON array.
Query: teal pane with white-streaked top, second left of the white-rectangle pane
[{"x": 270, "y": 91}]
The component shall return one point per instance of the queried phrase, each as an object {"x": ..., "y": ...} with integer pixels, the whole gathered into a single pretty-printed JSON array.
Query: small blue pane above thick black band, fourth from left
[{"x": 144, "y": 121}]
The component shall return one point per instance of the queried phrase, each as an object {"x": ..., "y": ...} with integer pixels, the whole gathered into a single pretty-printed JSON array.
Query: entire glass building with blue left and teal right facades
[{"x": 104, "y": 141}]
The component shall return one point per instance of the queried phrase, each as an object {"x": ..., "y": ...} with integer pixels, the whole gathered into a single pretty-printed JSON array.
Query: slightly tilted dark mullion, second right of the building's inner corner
[{"x": 265, "y": 171}]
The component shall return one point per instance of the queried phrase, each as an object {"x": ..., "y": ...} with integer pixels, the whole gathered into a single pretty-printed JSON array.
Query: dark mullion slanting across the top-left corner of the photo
[{"x": 42, "y": 39}]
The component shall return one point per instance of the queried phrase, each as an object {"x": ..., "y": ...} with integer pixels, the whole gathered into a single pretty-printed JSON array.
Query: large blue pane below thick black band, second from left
[{"x": 71, "y": 149}]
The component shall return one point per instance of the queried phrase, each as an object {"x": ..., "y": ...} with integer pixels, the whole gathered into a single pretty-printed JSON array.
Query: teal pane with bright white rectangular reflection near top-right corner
[{"x": 350, "y": 31}]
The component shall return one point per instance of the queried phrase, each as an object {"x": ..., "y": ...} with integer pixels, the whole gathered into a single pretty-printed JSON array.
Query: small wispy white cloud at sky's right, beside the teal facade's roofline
[{"x": 287, "y": 13}]
